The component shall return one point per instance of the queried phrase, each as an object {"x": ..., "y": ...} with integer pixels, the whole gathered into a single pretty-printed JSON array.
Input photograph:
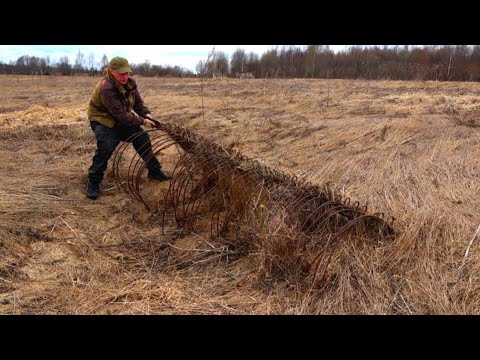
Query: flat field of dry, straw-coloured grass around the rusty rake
[{"x": 408, "y": 149}]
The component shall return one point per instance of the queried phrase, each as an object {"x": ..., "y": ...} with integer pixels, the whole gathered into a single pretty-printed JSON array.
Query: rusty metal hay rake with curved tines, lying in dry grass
[{"x": 250, "y": 205}]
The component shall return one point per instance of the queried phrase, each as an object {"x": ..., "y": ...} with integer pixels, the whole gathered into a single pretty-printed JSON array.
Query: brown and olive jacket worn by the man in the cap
[{"x": 112, "y": 103}]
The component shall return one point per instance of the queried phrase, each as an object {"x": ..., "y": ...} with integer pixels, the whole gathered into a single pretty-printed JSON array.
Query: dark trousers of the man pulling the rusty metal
[{"x": 107, "y": 141}]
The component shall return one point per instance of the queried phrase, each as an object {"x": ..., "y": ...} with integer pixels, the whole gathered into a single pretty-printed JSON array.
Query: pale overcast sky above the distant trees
[{"x": 186, "y": 56}]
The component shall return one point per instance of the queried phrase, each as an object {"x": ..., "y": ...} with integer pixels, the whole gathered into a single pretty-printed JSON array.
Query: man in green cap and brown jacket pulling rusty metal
[{"x": 116, "y": 111}]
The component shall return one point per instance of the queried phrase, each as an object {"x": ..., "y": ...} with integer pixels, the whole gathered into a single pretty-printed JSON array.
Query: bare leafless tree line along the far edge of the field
[{"x": 429, "y": 62}]
